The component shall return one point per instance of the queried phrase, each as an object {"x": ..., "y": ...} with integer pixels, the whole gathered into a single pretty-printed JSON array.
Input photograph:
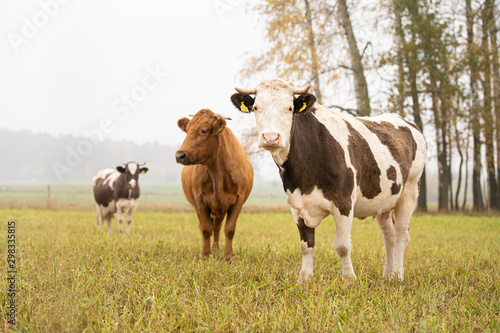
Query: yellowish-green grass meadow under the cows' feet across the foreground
[{"x": 74, "y": 278}]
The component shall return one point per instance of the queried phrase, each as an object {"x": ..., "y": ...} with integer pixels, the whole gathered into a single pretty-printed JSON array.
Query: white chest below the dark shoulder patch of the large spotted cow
[{"x": 312, "y": 207}]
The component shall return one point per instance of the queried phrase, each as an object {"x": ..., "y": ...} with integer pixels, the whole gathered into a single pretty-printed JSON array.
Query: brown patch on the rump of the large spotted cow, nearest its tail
[{"x": 400, "y": 142}]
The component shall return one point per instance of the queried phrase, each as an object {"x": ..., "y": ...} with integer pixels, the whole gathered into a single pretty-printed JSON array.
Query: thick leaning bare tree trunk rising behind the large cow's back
[{"x": 360, "y": 86}]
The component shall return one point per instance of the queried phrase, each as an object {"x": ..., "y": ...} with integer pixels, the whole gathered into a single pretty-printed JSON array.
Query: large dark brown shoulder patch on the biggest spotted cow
[{"x": 317, "y": 159}]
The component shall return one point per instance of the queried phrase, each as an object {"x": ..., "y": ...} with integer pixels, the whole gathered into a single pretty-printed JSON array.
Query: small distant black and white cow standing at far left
[{"x": 117, "y": 191}]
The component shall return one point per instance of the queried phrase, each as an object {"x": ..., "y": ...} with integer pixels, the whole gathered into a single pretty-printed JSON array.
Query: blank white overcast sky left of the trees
[{"x": 121, "y": 69}]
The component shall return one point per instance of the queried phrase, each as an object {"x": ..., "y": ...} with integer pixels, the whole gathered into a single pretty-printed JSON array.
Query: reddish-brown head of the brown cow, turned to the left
[{"x": 202, "y": 139}]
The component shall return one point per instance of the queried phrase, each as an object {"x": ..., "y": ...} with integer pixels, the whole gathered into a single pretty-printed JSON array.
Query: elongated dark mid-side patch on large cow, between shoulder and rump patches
[{"x": 368, "y": 172}]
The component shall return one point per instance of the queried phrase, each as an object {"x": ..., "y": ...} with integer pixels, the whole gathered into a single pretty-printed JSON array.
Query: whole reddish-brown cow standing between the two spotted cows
[{"x": 217, "y": 177}]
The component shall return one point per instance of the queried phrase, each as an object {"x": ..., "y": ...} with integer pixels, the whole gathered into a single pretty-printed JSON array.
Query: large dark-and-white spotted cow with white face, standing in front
[{"x": 332, "y": 163}]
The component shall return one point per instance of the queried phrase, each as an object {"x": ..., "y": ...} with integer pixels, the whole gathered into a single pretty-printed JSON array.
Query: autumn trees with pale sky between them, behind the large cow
[{"x": 433, "y": 62}]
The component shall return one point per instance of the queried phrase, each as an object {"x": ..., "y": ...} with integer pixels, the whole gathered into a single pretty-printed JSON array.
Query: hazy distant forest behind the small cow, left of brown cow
[{"x": 37, "y": 156}]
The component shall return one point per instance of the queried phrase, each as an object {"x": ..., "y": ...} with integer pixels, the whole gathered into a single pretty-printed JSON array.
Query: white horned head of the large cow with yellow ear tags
[{"x": 275, "y": 104}]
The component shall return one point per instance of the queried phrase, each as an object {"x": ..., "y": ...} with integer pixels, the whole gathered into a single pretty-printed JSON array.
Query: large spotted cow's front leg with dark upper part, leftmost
[{"x": 307, "y": 246}]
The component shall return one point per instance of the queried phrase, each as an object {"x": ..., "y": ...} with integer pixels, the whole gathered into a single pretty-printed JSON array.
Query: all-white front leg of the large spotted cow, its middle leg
[{"x": 342, "y": 243}]
